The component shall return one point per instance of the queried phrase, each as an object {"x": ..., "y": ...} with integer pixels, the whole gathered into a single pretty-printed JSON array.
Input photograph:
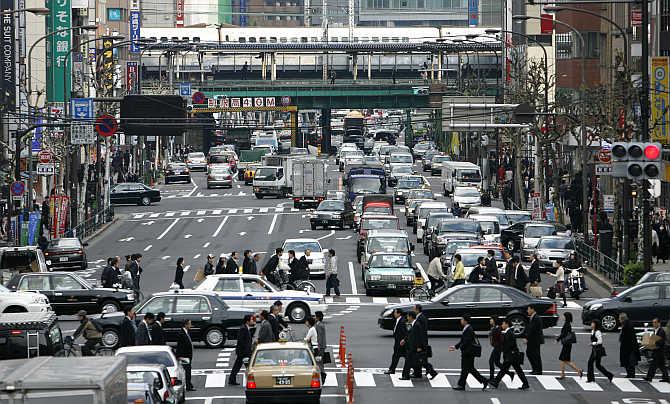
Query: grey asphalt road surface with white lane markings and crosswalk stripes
[{"x": 192, "y": 221}]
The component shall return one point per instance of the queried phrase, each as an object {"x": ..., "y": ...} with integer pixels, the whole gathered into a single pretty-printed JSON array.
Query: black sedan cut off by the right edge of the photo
[{"x": 642, "y": 303}]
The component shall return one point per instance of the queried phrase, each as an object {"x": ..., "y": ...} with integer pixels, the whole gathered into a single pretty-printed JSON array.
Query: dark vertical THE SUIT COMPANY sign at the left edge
[{"x": 8, "y": 58}]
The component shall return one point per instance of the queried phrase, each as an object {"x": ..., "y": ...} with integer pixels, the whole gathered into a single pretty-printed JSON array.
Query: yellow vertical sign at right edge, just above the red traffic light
[{"x": 660, "y": 99}]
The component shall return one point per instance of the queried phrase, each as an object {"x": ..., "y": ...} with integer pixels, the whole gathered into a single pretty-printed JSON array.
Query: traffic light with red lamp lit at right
[{"x": 636, "y": 160}]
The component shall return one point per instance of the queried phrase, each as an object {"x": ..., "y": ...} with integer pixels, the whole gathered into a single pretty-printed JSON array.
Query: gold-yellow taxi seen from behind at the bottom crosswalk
[{"x": 283, "y": 372}]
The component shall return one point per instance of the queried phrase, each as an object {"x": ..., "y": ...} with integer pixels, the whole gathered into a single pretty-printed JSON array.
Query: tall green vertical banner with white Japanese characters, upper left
[{"x": 58, "y": 46}]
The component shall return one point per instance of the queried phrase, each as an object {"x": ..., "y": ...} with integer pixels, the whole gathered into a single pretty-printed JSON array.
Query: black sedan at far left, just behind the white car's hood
[{"x": 68, "y": 293}]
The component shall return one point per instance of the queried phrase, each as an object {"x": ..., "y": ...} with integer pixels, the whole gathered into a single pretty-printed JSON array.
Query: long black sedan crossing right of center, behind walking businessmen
[{"x": 480, "y": 301}]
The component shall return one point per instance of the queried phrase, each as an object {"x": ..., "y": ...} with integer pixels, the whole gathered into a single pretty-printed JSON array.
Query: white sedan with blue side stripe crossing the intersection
[{"x": 254, "y": 292}]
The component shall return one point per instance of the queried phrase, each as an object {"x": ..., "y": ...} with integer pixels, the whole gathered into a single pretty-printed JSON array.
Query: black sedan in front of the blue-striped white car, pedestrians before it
[{"x": 213, "y": 321}]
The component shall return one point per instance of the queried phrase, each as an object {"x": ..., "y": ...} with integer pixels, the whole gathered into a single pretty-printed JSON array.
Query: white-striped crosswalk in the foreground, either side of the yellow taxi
[{"x": 447, "y": 379}]
